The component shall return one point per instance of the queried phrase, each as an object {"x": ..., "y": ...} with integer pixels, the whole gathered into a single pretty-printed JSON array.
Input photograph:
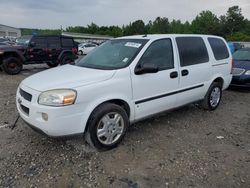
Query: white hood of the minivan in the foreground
[{"x": 67, "y": 76}]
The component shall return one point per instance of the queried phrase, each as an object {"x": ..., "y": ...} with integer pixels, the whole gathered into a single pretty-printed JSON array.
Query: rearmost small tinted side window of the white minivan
[{"x": 219, "y": 48}]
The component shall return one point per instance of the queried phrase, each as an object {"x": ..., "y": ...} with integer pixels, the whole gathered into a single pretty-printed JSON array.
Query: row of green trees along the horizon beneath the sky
[{"x": 233, "y": 26}]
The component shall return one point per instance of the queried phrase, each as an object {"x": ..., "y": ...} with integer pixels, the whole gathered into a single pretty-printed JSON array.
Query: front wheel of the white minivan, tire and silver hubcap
[{"x": 107, "y": 126}]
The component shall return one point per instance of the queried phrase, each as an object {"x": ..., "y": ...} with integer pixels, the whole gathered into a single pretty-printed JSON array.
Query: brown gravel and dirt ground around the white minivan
[{"x": 187, "y": 147}]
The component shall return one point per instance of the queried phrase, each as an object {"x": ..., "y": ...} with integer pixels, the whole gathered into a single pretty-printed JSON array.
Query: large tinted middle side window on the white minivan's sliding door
[{"x": 192, "y": 50}]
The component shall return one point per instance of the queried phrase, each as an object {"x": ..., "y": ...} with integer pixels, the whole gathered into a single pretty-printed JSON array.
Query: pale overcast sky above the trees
[{"x": 53, "y": 14}]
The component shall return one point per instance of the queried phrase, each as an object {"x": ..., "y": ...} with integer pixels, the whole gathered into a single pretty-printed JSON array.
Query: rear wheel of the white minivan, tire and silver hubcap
[{"x": 213, "y": 97}]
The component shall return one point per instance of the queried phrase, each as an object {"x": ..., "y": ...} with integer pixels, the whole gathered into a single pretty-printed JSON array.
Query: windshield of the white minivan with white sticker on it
[{"x": 113, "y": 54}]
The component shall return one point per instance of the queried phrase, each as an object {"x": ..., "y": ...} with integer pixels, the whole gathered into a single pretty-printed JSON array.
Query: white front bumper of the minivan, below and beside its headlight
[{"x": 62, "y": 121}]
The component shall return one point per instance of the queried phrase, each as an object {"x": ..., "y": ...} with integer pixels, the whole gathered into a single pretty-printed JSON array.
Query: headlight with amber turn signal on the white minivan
[{"x": 57, "y": 97}]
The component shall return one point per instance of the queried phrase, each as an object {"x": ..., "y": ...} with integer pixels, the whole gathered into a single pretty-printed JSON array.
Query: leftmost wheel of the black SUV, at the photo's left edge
[{"x": 12, "y": 65}]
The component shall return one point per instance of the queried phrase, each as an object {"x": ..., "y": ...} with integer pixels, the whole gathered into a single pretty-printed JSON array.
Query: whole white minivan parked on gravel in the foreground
[{"x": 125, "y": 80}]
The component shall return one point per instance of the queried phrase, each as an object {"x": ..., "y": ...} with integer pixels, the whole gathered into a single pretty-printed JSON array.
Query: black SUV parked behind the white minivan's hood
[{"x": 53, "y": 50}]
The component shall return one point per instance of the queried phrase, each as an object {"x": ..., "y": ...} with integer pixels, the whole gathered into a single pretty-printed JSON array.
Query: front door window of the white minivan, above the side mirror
[{"x": 159, "y": 53}]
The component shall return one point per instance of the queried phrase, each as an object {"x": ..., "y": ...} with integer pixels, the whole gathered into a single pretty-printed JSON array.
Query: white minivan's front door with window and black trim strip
[{"x": 154, "y": 92}]
